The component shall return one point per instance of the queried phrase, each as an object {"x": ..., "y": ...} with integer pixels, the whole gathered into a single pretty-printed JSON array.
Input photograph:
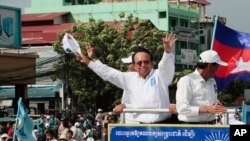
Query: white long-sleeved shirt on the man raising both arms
[{"x": 150, "y": 93}]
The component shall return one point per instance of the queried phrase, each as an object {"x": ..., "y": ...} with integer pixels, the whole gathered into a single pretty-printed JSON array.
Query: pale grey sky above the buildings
[{"x": 236, "y": 11}]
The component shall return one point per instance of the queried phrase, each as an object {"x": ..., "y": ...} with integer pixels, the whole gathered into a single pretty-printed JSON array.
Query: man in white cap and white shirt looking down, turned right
[{"x": 196, "y": 96}]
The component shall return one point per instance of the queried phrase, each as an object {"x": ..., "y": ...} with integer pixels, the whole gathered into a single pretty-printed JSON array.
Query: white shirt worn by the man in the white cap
[{"x": 192, "y": 92}]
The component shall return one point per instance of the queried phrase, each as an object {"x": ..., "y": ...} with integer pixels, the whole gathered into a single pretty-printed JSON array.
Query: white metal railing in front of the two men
[{"x": 225, "y": 119}]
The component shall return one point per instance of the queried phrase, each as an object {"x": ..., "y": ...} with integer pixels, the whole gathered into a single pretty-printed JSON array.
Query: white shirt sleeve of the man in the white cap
[{"x": 184, "y": 98}]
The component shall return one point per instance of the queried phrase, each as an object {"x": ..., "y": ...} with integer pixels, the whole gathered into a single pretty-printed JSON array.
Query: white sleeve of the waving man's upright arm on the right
[{"x": 166, "y": 68}]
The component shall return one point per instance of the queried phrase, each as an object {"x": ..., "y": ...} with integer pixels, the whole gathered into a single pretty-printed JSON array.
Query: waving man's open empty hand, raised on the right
[{"x": 169, "y": 41}]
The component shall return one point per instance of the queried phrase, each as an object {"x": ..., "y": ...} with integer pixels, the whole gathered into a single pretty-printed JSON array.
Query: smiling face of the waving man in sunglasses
[{"x": 142, "y": 64}]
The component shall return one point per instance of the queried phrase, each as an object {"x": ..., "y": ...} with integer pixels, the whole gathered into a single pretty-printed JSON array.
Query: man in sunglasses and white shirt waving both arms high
[{"x": 147, "y": 87}]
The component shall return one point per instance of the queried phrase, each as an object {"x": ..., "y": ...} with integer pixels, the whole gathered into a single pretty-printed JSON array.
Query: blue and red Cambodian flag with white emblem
[{"x": 233, "y": 47}]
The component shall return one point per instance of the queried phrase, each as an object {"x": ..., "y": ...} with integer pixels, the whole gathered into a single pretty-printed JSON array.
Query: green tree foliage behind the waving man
[{"x": 110, "y": 44}]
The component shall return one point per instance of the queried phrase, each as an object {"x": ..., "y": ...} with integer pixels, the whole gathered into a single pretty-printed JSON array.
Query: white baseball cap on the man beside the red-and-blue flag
[{"x": 211, "y": 56}]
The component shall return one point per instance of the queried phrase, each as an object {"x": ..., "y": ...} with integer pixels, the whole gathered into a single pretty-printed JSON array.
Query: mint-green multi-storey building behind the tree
[{"x": 167, "y": 15}]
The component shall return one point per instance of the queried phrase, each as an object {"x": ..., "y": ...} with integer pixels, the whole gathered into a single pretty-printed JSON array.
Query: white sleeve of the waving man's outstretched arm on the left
[{"x": 107, "y": 73}]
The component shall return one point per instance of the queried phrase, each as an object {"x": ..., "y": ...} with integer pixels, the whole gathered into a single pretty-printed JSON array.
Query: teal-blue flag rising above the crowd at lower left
[{"x": 24, "y": 124}]
